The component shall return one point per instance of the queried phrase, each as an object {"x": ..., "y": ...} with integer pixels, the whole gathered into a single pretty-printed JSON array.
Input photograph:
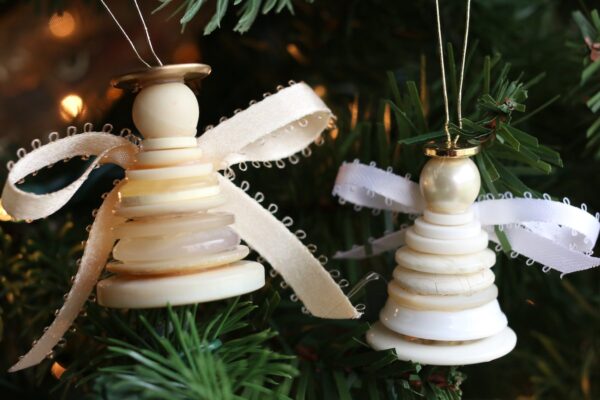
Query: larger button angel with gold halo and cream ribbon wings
[{"x": 175, "y": 223}]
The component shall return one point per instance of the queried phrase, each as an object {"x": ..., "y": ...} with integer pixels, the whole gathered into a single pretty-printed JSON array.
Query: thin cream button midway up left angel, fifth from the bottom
[{"x": 175, "y": 207}]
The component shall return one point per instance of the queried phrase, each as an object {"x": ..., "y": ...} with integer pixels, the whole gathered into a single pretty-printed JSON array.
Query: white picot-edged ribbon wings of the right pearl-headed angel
[{"x": 554, "y": 234}]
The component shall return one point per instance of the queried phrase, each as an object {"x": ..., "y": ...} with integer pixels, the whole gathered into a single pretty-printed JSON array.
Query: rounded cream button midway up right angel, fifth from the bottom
[{"x": 445, "y": 264}]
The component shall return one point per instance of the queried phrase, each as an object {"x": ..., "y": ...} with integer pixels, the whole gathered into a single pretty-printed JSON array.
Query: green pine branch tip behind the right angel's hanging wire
[{"x": 489, "y": 124}]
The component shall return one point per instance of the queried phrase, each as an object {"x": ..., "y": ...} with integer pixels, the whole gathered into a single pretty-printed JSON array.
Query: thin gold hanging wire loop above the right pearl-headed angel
[{"x": 462, "y": 71}]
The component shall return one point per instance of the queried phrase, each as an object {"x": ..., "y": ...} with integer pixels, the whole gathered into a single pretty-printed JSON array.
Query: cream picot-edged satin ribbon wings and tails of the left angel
[{"x": 277, "y": 127}]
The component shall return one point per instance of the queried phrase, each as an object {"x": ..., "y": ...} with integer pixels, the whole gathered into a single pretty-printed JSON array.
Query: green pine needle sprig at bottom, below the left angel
[{"x": 182, "y": 359}]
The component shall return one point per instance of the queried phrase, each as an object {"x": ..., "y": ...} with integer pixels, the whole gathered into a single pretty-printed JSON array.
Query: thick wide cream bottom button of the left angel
[{"x": 135, "y": 292}]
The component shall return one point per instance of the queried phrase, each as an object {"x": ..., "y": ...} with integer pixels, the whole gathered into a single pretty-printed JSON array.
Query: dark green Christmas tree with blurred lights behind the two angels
[{"x": 531, "y": 82}]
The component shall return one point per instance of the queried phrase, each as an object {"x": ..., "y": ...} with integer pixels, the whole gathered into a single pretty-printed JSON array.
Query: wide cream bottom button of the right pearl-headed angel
[{"x": 469, "y": 352}]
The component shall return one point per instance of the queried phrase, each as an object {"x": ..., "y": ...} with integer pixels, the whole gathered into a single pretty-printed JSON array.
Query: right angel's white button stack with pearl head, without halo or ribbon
[{"x": 442, "y": 307}]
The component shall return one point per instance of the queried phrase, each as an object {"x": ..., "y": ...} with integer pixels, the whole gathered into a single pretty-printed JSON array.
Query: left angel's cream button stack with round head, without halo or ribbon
[{"x": 172, "y": 249}]
